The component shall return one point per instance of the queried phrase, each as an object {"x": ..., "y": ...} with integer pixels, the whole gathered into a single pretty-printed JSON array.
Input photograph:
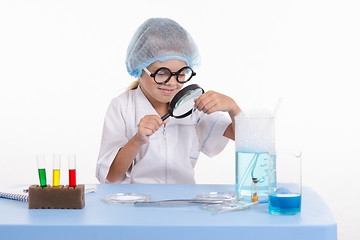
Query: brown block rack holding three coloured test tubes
[{"x": 61, "y": 197}]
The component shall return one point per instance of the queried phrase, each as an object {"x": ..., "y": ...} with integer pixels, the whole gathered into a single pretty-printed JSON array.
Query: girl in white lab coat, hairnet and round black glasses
[{"x": 137, "y": 146}]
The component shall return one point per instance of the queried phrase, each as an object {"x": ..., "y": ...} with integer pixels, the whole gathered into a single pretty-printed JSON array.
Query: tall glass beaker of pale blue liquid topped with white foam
[{"x": 254, "y": 140}]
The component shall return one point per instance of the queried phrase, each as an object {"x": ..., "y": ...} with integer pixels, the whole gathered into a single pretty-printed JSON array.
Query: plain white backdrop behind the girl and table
[{"x": 61, "y": 62}]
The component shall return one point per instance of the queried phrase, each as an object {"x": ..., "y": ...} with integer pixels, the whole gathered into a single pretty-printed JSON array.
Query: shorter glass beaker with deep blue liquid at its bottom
[{"x": 285, "y": 182}]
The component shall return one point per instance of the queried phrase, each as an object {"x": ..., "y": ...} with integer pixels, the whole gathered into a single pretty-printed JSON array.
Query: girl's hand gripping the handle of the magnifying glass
[{"x": 147, "y": 126}]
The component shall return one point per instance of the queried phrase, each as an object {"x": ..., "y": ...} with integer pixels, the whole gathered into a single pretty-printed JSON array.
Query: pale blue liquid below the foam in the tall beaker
[{"x": 249, "y": 165}]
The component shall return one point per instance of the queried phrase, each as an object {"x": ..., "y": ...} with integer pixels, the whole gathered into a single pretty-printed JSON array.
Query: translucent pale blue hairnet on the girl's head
[{"x": 160, "y": 39}]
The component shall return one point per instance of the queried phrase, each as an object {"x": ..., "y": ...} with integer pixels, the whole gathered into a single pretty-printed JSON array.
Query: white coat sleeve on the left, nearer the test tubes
[{"x": 113, "y": 139}]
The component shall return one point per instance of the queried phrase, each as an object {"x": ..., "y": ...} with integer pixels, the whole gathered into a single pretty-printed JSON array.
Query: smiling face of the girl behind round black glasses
[{"x": 157, "y": 93}]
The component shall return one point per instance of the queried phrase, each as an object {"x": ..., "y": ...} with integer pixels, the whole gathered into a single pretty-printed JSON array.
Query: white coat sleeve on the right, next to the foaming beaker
[{"x": 210, "y": 130}]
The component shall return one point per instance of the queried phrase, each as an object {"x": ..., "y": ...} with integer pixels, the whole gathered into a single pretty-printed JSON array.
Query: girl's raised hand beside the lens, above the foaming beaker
[{"x": 211, "y": 101}]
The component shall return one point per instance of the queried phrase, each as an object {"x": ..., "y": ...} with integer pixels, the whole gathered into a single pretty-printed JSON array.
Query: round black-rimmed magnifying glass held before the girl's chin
[{"x": 182, "y": 103}]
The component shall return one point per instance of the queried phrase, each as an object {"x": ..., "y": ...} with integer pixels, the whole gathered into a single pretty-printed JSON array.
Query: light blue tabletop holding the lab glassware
[{"x": 100, "y": 220}]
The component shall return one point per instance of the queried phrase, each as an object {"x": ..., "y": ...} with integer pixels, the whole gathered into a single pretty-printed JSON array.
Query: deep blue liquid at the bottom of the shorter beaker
[{"x": 287, "y": 203}]
